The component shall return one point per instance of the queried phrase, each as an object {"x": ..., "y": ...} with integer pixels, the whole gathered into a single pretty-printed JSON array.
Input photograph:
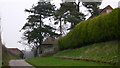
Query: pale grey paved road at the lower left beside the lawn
[{"x": 19, "y": 64}]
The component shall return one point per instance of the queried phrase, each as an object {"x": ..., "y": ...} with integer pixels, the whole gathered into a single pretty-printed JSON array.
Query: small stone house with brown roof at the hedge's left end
[{"x": 48, "y": 46}]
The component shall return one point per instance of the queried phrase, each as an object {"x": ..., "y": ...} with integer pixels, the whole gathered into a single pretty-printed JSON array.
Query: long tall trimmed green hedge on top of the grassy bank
[{"x": 104, "y": 27}]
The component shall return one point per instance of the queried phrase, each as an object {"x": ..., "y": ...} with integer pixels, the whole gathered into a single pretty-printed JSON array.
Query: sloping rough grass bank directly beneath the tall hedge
[{"x": 105, "y": 51}]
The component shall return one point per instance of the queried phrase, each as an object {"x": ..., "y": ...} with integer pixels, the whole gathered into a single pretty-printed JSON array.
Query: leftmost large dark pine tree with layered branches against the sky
[{"x": 35, "y": 29}]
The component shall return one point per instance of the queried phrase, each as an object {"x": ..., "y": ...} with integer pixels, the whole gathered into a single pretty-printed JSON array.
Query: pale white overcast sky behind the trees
[{"x": 13, "y": 18}]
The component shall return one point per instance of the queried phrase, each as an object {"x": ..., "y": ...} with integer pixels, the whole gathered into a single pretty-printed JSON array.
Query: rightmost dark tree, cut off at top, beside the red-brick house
[{"x": 93, "y": 8}]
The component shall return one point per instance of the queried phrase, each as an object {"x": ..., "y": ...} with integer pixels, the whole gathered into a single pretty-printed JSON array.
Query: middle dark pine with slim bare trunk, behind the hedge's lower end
[{"x": 68, "y": 12}]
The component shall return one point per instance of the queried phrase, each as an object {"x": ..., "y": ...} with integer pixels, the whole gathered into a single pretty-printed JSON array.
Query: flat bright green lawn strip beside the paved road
[{"x": 51, "y": 61}]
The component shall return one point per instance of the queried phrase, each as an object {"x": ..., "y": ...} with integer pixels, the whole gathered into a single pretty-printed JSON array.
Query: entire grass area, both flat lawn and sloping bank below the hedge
[{"x": 105, "y": 51}]
